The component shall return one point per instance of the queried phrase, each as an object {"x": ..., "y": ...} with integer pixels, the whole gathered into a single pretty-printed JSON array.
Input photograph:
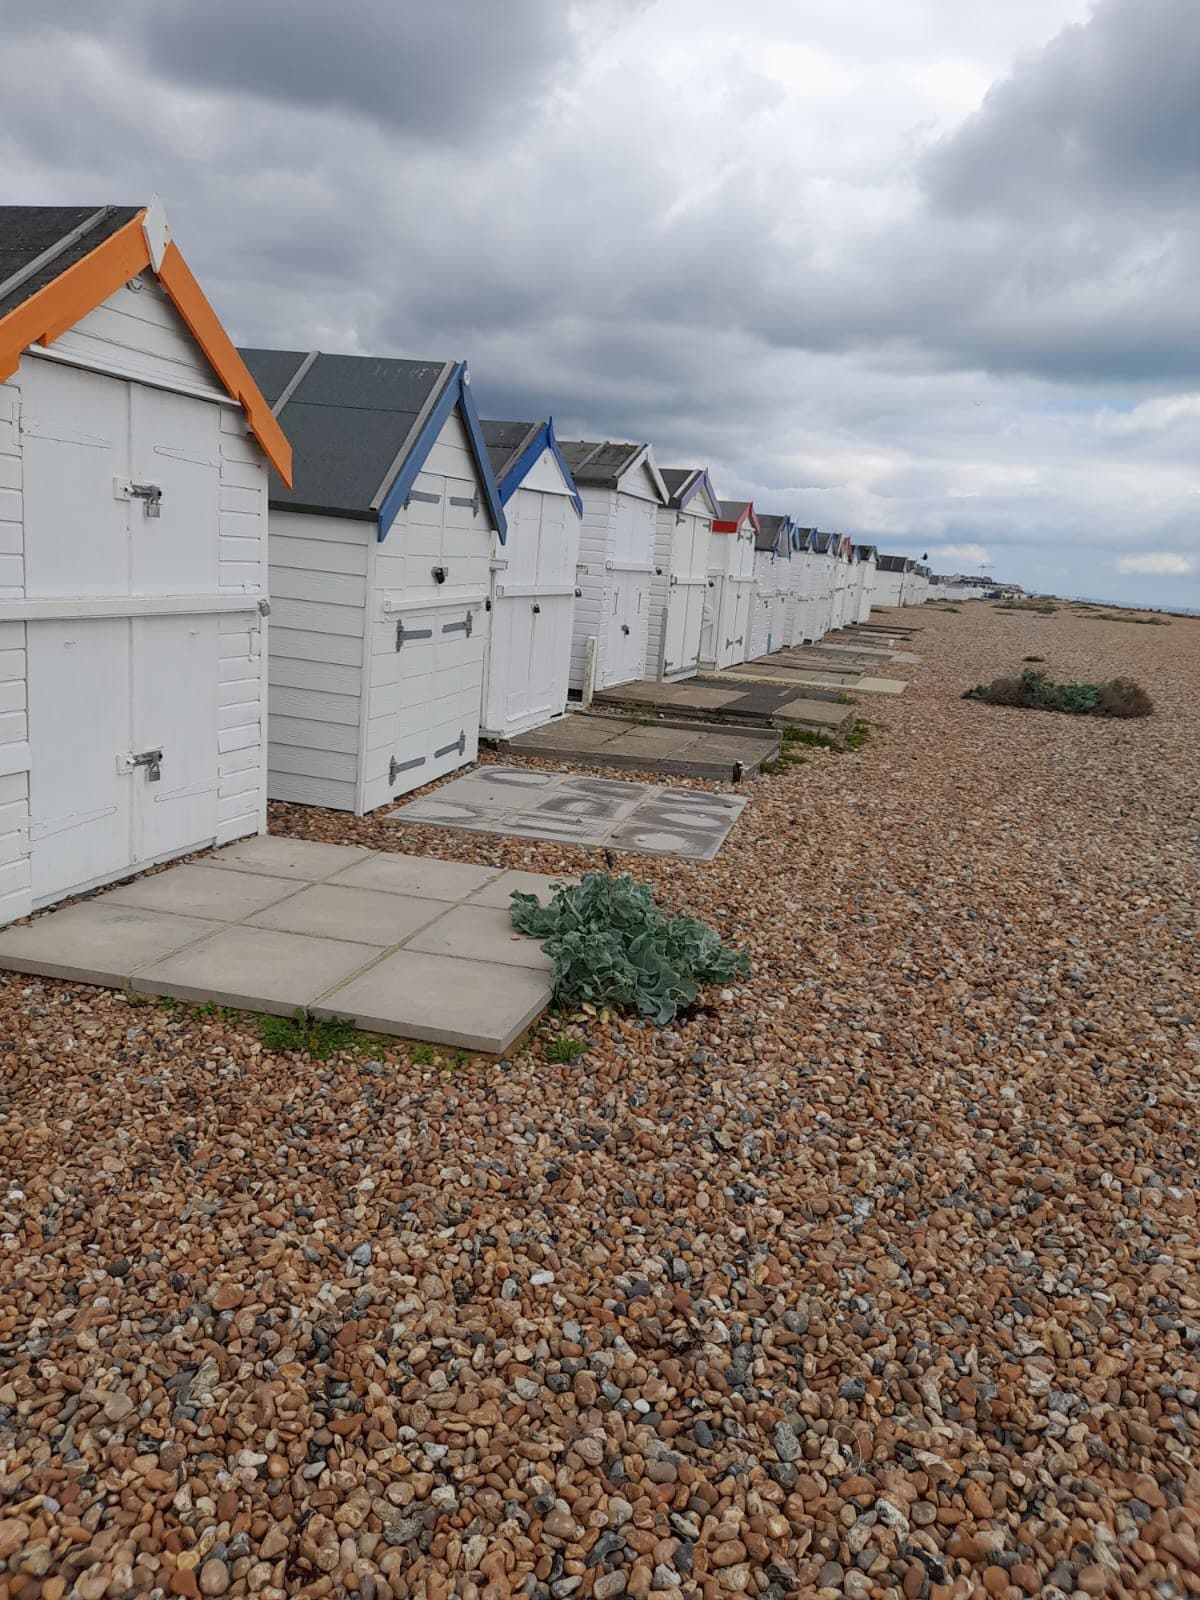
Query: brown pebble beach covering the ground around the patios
[{"x": 876, "y": 1276}]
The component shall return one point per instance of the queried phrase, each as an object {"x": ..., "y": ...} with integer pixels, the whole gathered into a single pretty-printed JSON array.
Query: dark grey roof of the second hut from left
[{"x": 348, "y": 420}]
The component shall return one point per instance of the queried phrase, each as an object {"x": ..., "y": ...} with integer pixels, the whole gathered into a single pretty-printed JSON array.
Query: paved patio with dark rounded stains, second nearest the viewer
[{"x": 577, "y": 810}]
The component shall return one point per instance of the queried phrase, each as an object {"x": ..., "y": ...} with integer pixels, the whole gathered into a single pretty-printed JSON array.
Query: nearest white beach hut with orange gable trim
[{"x": 134, "y": 524}]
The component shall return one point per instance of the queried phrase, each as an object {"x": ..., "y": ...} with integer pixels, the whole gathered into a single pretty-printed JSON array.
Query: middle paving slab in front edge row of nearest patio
[{"x": 257, "y": 970}]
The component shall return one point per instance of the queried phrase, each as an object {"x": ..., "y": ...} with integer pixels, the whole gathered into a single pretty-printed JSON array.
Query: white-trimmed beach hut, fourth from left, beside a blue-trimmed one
[{"x": 622, "y": 492}]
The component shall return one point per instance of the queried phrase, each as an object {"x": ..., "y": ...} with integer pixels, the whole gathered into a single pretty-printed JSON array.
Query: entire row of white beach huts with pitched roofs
[{"x": 431, "y": 577}]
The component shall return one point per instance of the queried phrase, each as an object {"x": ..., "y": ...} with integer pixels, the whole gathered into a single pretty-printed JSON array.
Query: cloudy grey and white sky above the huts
[{"x": 924, "y": 271}]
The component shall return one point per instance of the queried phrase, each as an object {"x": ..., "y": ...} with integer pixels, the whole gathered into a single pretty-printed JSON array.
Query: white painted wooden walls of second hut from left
[{"x": 345, "y": 702}]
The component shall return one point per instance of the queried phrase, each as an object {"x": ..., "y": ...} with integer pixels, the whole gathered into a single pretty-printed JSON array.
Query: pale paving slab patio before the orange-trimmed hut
[{"x": 401, "y": 945}]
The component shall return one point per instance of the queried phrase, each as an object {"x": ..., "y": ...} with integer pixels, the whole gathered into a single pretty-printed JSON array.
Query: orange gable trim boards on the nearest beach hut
[{"x": 57, "y": 308}]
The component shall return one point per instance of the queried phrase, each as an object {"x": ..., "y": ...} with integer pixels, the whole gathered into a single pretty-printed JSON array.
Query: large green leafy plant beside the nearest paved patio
[{"x": 612, "y": 945}]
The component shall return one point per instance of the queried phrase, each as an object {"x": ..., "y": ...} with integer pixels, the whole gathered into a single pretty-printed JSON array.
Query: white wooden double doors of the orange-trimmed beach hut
[{"x": 105, "y": 690}]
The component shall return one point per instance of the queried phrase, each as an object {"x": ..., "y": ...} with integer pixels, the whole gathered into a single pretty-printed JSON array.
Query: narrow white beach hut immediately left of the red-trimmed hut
[{"x": 681, "y": 577}]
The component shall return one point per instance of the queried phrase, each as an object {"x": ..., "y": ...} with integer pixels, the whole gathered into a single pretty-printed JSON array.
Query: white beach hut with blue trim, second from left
[{"x": 378, "y": 575}]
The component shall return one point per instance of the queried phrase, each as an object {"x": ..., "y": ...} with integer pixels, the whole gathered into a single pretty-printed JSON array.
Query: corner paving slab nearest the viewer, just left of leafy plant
[{"x": 446, "y": 999}]
